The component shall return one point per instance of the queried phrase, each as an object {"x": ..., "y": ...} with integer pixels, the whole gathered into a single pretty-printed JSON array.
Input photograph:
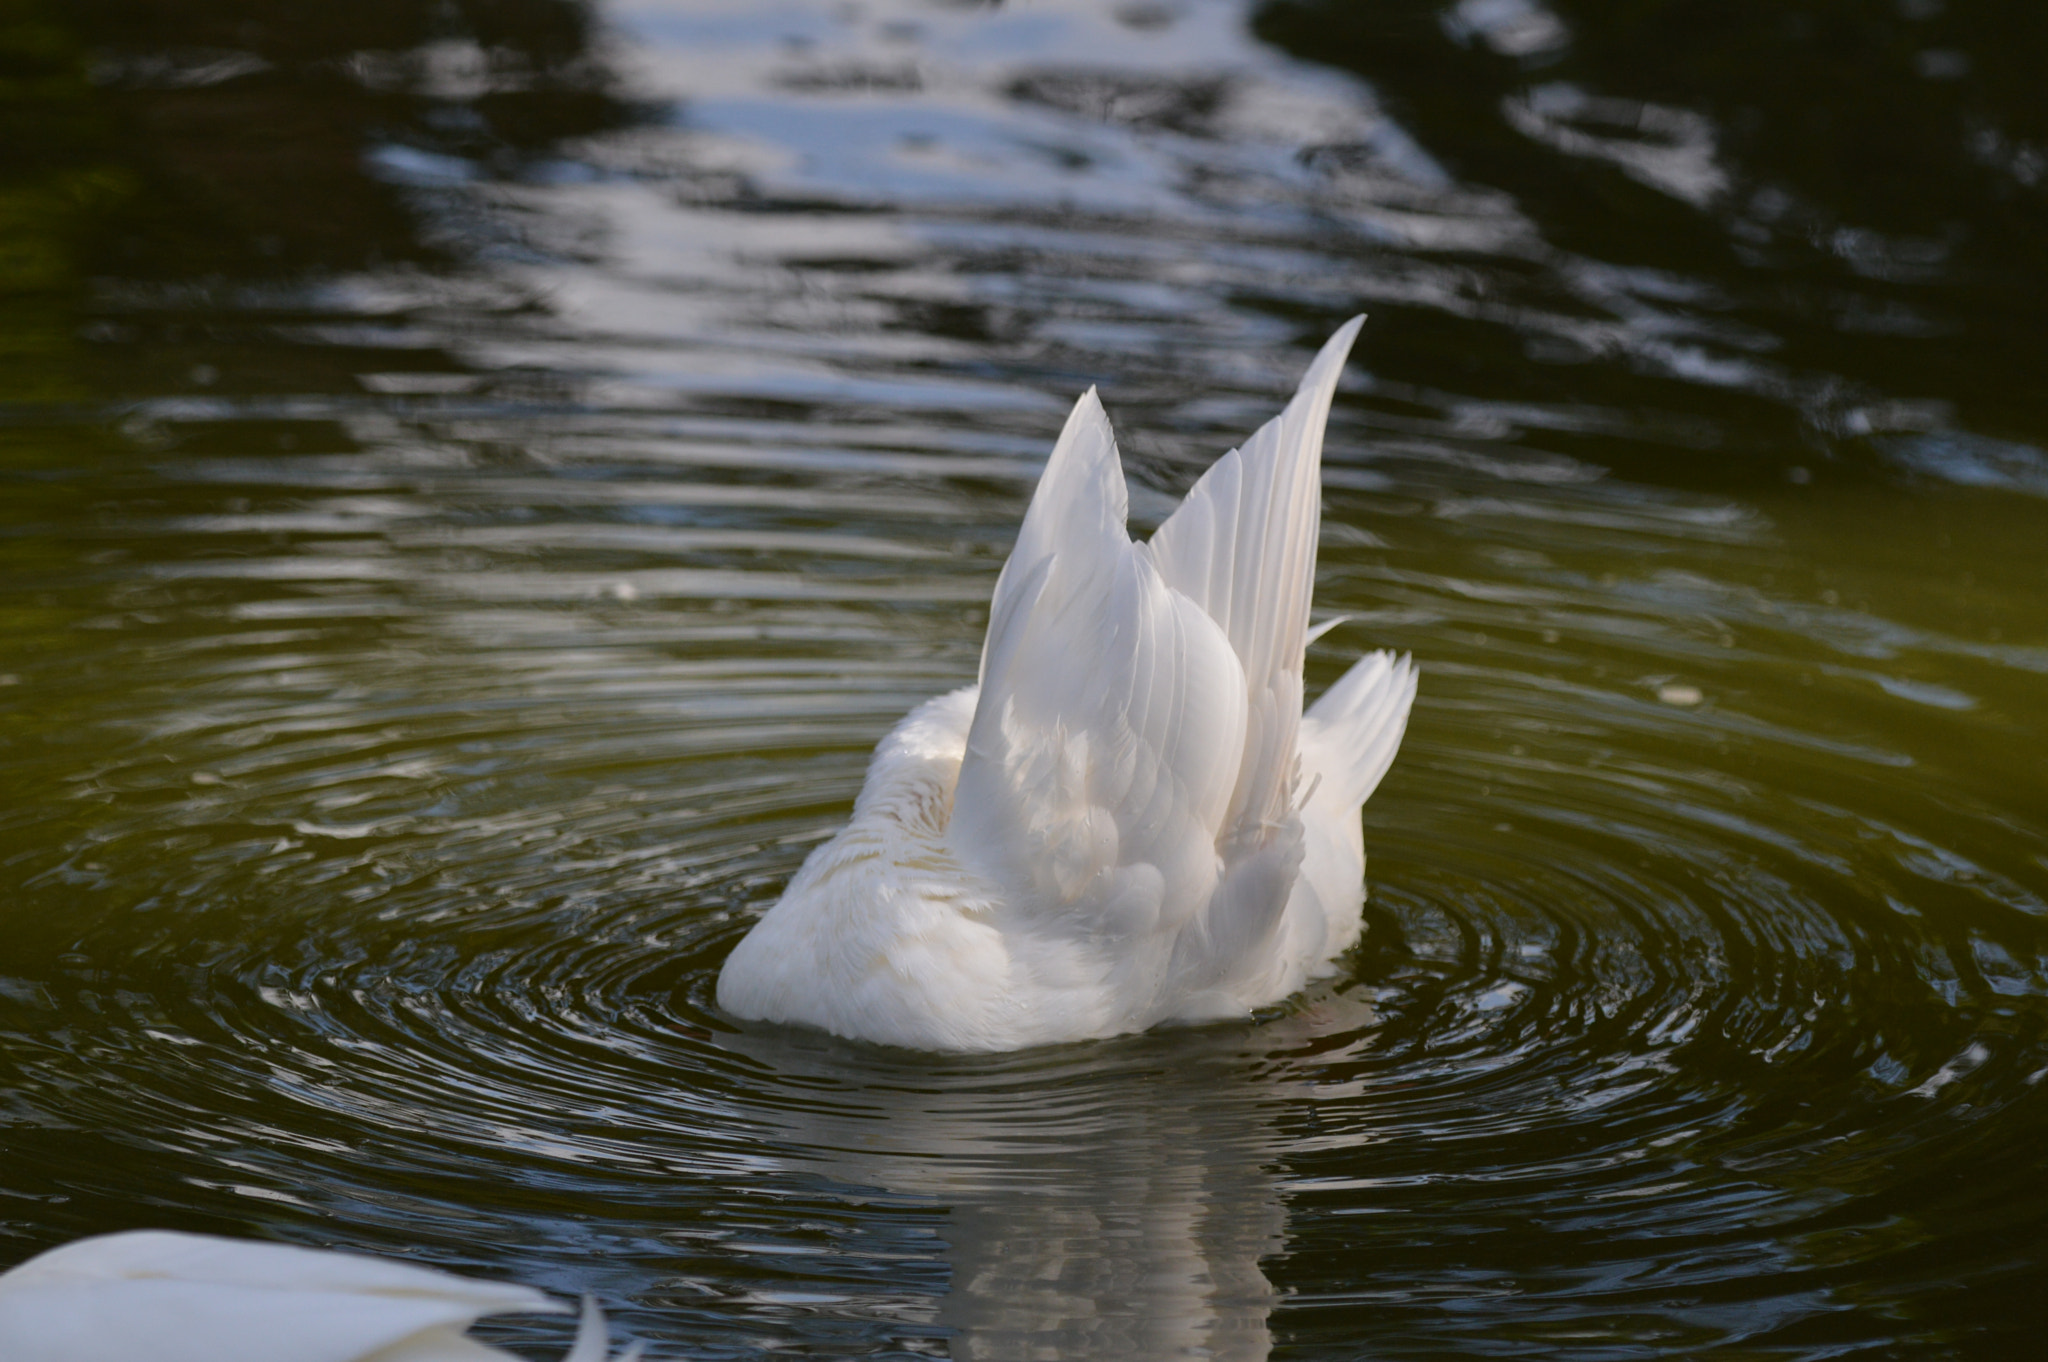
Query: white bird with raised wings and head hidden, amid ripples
[{"x": 1129, "y": 820}]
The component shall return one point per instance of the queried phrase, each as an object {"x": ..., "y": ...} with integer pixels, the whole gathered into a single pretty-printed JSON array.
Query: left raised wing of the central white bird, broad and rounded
[{"x": 1109, "y": 726}]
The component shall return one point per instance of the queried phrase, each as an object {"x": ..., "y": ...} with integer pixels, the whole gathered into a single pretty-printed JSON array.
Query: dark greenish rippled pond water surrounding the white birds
[{"x": 474, "y": 488}]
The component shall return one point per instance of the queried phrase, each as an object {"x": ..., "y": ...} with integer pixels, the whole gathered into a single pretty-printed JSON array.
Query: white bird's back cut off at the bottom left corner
[{"x": 159, "y": 1295}]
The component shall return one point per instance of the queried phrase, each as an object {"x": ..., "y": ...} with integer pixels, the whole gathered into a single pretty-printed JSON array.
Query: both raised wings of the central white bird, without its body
[{"x": 1134, "y": 761}]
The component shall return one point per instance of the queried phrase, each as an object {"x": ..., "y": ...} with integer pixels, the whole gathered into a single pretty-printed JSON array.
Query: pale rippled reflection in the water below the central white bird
[{"x": 1103, "y": 1201}]
